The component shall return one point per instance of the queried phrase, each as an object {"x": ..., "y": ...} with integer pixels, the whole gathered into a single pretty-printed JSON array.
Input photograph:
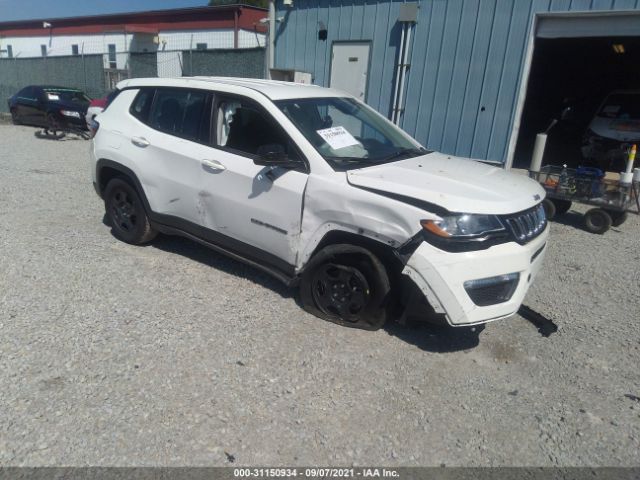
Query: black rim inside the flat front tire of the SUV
[{"x": 340, "y": 291}]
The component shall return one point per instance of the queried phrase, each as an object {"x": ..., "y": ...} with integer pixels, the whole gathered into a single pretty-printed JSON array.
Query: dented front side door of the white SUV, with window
[{"x": 256, "y": 205}]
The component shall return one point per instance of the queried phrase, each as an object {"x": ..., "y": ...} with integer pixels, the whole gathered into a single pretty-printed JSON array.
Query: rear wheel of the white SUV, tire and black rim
[{"x": 126, "y": 213}]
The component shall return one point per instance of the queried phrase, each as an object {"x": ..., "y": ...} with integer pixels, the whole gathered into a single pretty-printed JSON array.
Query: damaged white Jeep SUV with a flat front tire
[{"x": 322, "y": 192}]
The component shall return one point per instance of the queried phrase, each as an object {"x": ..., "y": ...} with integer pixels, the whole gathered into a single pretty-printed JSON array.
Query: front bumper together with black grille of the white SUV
[{"x": 474, "y": 280}]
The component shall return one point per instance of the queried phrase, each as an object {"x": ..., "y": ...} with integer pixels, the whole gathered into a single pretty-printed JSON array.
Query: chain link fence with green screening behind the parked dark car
[{"x": 96, "y": 66}]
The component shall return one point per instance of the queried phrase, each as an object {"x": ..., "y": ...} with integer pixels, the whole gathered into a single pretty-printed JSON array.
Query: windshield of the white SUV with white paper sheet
[{"x": 348, "y": 134}]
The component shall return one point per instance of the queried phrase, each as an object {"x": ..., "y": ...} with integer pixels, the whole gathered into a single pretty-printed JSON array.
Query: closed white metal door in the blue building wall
[{"x": 350, "y": 67}]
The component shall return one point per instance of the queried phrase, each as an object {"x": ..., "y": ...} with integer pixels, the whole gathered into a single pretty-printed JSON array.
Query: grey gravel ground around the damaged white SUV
[{"x": 171, "y": 354}]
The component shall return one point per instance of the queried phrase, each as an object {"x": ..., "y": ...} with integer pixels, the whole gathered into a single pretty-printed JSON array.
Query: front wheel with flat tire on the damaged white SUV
[{"x": 347, "y": 285}]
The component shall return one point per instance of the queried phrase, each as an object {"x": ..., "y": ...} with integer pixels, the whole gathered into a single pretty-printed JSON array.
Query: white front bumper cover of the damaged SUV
[{"x": 441, "y": 276}]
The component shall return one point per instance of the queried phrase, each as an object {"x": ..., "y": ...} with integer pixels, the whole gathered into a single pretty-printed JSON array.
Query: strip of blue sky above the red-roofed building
[{"x": 45, "y": 9}]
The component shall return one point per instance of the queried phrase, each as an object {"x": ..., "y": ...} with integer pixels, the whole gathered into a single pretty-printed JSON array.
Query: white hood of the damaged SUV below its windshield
[{"x": 456, "y": 184}]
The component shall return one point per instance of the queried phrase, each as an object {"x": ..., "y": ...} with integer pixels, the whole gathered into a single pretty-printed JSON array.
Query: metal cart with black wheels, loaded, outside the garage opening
[{"x": 611, "y": 199}]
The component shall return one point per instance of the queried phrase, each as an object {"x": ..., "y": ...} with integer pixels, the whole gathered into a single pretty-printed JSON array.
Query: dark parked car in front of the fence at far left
[{"x": 49, "y": 107}]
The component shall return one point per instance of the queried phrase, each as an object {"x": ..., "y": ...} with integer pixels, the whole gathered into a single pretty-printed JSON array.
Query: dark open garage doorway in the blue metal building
[{"x": 579, "y": 73}]
